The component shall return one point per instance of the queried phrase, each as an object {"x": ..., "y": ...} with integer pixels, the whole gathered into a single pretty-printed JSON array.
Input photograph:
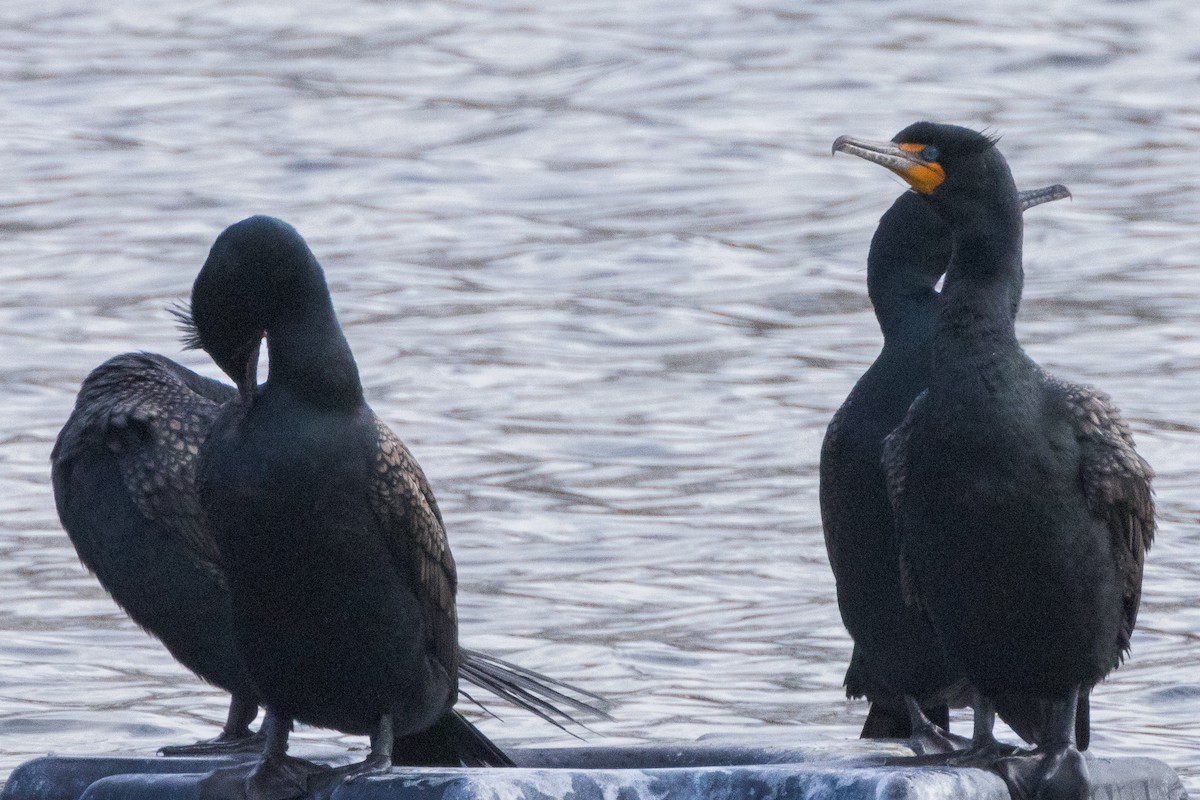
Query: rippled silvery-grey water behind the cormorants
[{"x": 603, "y": 276}]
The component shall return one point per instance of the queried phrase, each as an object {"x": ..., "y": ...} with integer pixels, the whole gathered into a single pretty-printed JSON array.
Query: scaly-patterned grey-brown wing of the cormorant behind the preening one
[{"x": 154, "y": 416}]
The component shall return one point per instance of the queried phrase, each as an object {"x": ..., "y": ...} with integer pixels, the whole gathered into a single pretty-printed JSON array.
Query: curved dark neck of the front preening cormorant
[{"x": 310, "y": 356}]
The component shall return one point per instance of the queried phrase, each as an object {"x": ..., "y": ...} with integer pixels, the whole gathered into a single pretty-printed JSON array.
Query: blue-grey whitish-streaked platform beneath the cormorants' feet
[{"x": 851, "y": 771}]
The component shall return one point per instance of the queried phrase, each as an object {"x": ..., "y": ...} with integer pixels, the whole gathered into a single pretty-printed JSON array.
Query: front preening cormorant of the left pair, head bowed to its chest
[{"x": 341, "y": 576}]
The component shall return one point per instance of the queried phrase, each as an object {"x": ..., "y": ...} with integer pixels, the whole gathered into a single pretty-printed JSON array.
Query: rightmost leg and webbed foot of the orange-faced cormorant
[{"x": 1055, "y": 771}]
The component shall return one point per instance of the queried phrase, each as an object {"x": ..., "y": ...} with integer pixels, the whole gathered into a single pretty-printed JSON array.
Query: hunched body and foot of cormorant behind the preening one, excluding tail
[{"x": 124, "y": 472}]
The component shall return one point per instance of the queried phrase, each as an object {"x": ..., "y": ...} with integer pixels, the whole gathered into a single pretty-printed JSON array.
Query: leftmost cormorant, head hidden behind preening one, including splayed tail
[{"x": 125, "y": 480}]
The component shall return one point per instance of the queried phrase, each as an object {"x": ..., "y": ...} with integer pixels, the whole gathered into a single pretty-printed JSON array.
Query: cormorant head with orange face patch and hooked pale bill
[{"x": 956, "y": 169}]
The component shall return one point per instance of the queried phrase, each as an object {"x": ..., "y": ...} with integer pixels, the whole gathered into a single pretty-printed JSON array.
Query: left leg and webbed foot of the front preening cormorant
[{"x": 274, "y": 777}]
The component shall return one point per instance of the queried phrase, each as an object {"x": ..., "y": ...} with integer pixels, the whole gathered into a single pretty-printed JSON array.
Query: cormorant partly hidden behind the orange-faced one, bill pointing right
[{"x": 896, "y": 654}]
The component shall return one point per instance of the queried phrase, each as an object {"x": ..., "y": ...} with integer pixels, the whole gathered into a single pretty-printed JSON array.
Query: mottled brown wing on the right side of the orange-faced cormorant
[{"x": 1118, "y": 486}]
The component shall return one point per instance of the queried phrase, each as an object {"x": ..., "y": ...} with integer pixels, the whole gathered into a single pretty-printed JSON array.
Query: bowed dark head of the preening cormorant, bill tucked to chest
[{"x": 257, "y": 270}]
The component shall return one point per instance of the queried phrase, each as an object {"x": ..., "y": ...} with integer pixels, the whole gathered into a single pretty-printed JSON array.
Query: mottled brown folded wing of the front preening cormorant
[{"x": 409, "y": 515}]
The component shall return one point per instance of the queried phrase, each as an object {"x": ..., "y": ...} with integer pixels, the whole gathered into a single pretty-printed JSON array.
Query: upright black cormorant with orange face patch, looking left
[{"x": 1024, "y": 513}]
